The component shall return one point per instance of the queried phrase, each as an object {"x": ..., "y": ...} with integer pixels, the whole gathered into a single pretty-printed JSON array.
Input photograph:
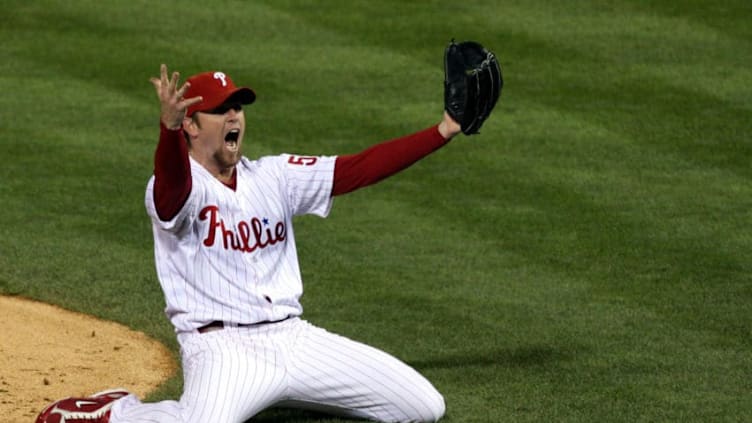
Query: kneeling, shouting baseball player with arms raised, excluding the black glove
[{"x": 225, "y": 255}]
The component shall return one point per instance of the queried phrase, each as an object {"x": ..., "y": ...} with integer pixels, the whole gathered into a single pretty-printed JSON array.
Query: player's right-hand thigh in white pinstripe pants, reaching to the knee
[{"x": 337, "y": 374}]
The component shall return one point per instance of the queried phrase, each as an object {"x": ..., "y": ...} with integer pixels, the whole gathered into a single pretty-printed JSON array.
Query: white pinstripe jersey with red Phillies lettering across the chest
[{"x": 230, "y": 255}]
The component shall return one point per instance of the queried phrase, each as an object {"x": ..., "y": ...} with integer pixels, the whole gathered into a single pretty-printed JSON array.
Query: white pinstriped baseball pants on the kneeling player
[{"x": 233, "y": 374}]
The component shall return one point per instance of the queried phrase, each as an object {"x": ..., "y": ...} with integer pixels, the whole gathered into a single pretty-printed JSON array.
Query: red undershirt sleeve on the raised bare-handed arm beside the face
[{"x": 172, "y": 173}]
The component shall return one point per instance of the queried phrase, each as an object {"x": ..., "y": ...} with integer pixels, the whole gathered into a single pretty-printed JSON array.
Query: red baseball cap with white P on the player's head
[{"x": 216, "y": 88}]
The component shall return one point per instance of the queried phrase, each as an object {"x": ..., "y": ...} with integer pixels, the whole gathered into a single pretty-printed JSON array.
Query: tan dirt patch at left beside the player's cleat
[{"x": 47, "y": 353}]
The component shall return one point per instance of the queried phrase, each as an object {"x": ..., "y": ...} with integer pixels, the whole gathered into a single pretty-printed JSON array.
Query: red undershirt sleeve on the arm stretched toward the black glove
[{"x": 383, "y": 160}]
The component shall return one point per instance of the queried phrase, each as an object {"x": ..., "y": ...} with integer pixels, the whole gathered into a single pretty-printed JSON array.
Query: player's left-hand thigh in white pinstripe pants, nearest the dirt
[{"x": 228, "y": 377}]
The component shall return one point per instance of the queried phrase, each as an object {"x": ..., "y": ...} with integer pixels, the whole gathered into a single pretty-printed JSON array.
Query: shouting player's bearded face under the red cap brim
[{"x": 219, "y": 137}]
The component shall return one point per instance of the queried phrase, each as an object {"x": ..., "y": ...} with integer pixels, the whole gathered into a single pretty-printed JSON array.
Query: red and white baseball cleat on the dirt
[{"x": 93, "y": 409}]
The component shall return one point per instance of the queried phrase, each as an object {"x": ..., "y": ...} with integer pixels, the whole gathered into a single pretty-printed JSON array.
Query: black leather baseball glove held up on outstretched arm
[{"x": 472, "y": 84}]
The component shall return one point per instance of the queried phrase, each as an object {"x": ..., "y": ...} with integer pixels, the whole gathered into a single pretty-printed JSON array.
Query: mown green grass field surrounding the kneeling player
[{"x": 587, "y": 258}]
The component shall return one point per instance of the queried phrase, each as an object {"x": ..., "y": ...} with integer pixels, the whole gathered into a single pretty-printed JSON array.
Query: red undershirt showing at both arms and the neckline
[{"x": 172, "y": 167}]
